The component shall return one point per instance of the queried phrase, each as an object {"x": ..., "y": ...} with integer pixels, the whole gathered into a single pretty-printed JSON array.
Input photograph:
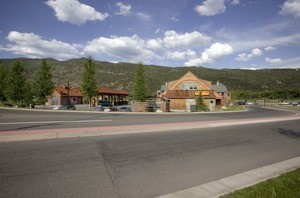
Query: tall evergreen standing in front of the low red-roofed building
[{"x": 89, "y": 83}]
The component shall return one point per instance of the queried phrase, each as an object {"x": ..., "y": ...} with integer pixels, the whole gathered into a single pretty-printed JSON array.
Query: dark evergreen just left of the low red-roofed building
[{"x": 43, "y": 84}]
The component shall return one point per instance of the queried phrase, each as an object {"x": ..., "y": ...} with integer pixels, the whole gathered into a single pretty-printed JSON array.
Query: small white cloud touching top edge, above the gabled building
[{"x": 211, "y": 7}]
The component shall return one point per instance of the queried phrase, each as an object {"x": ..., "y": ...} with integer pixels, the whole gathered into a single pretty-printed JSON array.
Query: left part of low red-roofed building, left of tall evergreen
[{"x": 61, "y": 95}]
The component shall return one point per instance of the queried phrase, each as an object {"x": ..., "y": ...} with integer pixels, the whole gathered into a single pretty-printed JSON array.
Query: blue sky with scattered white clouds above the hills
[{"x": 250, "y": 34}]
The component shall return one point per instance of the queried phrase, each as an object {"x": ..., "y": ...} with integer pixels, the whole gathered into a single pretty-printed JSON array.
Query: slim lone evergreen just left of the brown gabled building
[{"x": 140, "y": 89}]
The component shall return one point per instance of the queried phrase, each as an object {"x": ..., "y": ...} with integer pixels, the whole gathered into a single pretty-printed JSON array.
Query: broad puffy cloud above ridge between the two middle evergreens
[{"x": 131, "y": 49}]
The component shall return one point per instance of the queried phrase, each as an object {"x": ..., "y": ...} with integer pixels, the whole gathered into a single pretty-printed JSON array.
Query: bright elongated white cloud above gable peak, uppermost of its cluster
[{"x": 187, "y": 40}]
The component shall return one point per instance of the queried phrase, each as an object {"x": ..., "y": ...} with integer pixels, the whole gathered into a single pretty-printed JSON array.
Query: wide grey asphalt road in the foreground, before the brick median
[{"x": 141, "y": 165}]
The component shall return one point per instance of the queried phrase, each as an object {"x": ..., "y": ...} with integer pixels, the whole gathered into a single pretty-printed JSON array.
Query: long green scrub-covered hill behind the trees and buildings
[{"x": 120, "y": 75}]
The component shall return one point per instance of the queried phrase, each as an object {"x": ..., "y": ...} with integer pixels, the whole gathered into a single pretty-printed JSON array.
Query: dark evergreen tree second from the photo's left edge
[{"x": 16, "y": 81}]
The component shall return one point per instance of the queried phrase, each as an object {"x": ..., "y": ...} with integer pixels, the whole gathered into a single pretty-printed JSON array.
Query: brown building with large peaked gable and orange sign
[{"x": 182, "y": 93}]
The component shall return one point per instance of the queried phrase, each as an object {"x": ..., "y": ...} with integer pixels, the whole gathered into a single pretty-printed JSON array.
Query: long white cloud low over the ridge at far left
[{"x": 33, "y": 46}]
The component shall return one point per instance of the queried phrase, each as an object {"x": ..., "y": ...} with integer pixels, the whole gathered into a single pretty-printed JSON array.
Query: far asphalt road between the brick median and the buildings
[{"x": 27, "y": 120}]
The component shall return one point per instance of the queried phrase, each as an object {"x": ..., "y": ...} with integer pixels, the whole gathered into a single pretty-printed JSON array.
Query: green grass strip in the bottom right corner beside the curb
[{"x": 284, "y": 186}]
